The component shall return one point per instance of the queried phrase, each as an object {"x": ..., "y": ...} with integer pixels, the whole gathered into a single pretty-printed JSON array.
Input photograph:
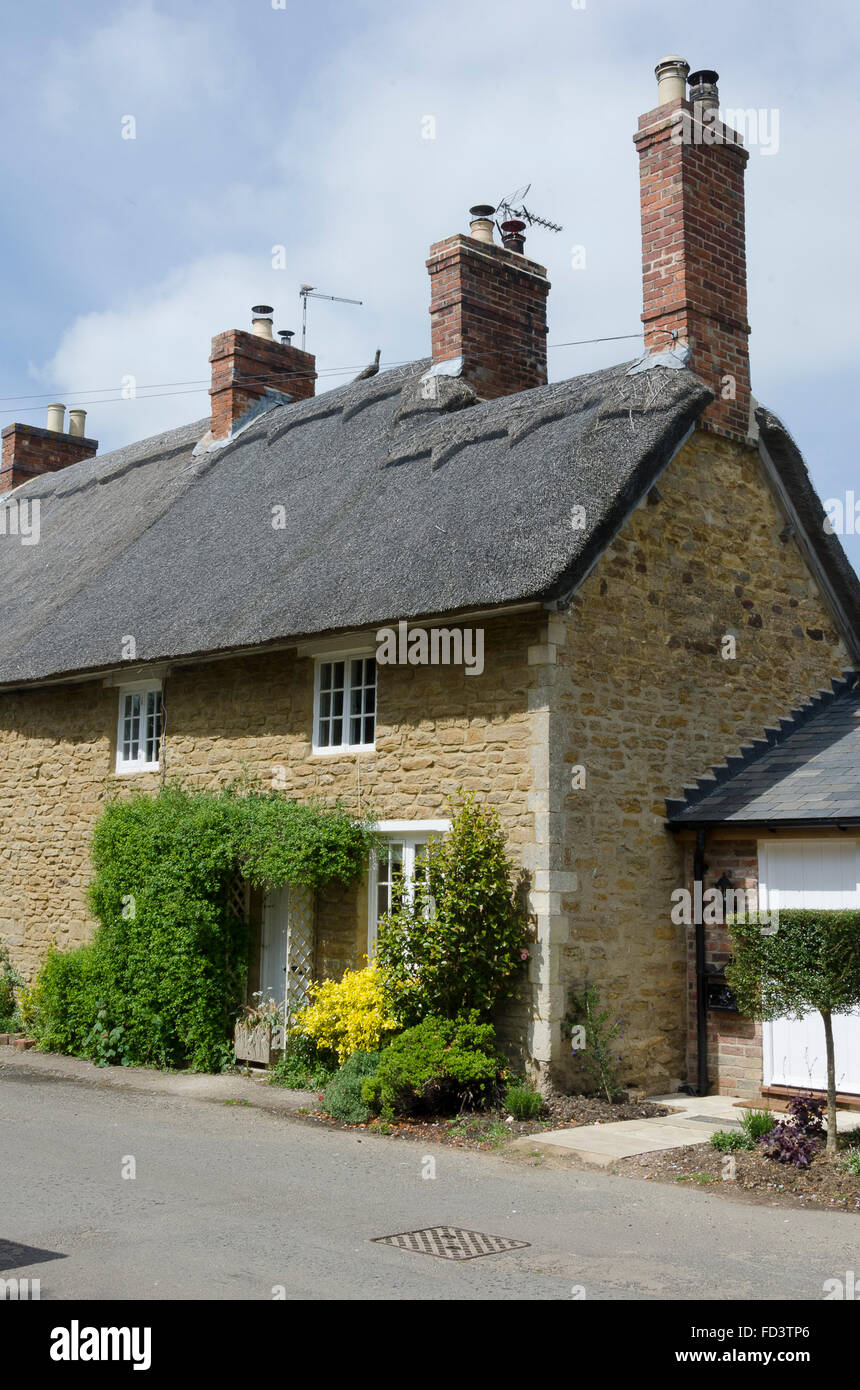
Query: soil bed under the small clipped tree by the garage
[{"x": 758, "y": 1178}]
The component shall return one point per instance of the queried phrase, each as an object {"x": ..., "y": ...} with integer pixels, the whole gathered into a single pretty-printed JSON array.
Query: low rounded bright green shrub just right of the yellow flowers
[{"x": 441, "y": 1065}]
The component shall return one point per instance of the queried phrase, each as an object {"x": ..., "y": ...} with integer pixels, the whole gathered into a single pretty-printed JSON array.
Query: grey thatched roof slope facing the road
[{"x": 397, "y": 508}]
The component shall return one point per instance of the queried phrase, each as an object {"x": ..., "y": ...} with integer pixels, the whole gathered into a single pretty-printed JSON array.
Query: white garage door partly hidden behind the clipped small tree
[{"x": 811, "y": 874}]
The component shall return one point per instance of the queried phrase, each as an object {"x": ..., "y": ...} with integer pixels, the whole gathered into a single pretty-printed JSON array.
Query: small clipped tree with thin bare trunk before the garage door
[{"x": 811, "y": 961}]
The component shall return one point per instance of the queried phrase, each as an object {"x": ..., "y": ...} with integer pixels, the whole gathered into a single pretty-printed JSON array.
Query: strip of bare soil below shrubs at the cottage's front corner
[{"x": 494, "y": 1129}]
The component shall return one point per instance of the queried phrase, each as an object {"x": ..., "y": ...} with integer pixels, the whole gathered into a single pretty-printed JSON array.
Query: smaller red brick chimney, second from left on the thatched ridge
[{"x": 249, "y": 366}]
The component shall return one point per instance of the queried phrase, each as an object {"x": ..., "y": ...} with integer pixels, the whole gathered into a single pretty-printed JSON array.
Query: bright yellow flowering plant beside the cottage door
[{"x": 348, "y": 1015}]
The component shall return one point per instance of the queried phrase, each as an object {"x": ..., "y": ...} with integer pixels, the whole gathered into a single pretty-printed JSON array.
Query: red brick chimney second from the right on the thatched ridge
[{"x": 488, "y": 309}]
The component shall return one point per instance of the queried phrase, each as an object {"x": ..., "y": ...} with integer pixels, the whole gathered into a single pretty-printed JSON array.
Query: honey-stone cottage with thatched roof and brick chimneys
[{"x": 588, "y": 594}]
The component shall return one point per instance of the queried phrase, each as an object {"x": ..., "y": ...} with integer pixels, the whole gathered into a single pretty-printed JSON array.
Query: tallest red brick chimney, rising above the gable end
[{"x": 694, "y": 250}]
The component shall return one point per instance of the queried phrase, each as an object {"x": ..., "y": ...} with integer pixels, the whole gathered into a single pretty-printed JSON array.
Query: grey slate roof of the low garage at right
[{"x": 805, "y": 772}]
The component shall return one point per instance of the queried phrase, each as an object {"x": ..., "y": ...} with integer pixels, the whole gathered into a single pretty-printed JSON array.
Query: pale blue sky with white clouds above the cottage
[{"x": 156, "y": 156}]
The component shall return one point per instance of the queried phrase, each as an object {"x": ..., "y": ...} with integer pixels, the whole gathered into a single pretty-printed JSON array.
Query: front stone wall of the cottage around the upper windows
[{"x": 438, "y": 730}]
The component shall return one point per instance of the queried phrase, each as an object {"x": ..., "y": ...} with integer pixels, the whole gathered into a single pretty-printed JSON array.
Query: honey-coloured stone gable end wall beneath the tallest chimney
[{"x": 647, "y": 704}]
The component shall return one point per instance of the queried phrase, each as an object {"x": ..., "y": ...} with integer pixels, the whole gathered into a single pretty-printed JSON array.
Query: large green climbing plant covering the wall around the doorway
[{"x": 165, "y": 975}]
